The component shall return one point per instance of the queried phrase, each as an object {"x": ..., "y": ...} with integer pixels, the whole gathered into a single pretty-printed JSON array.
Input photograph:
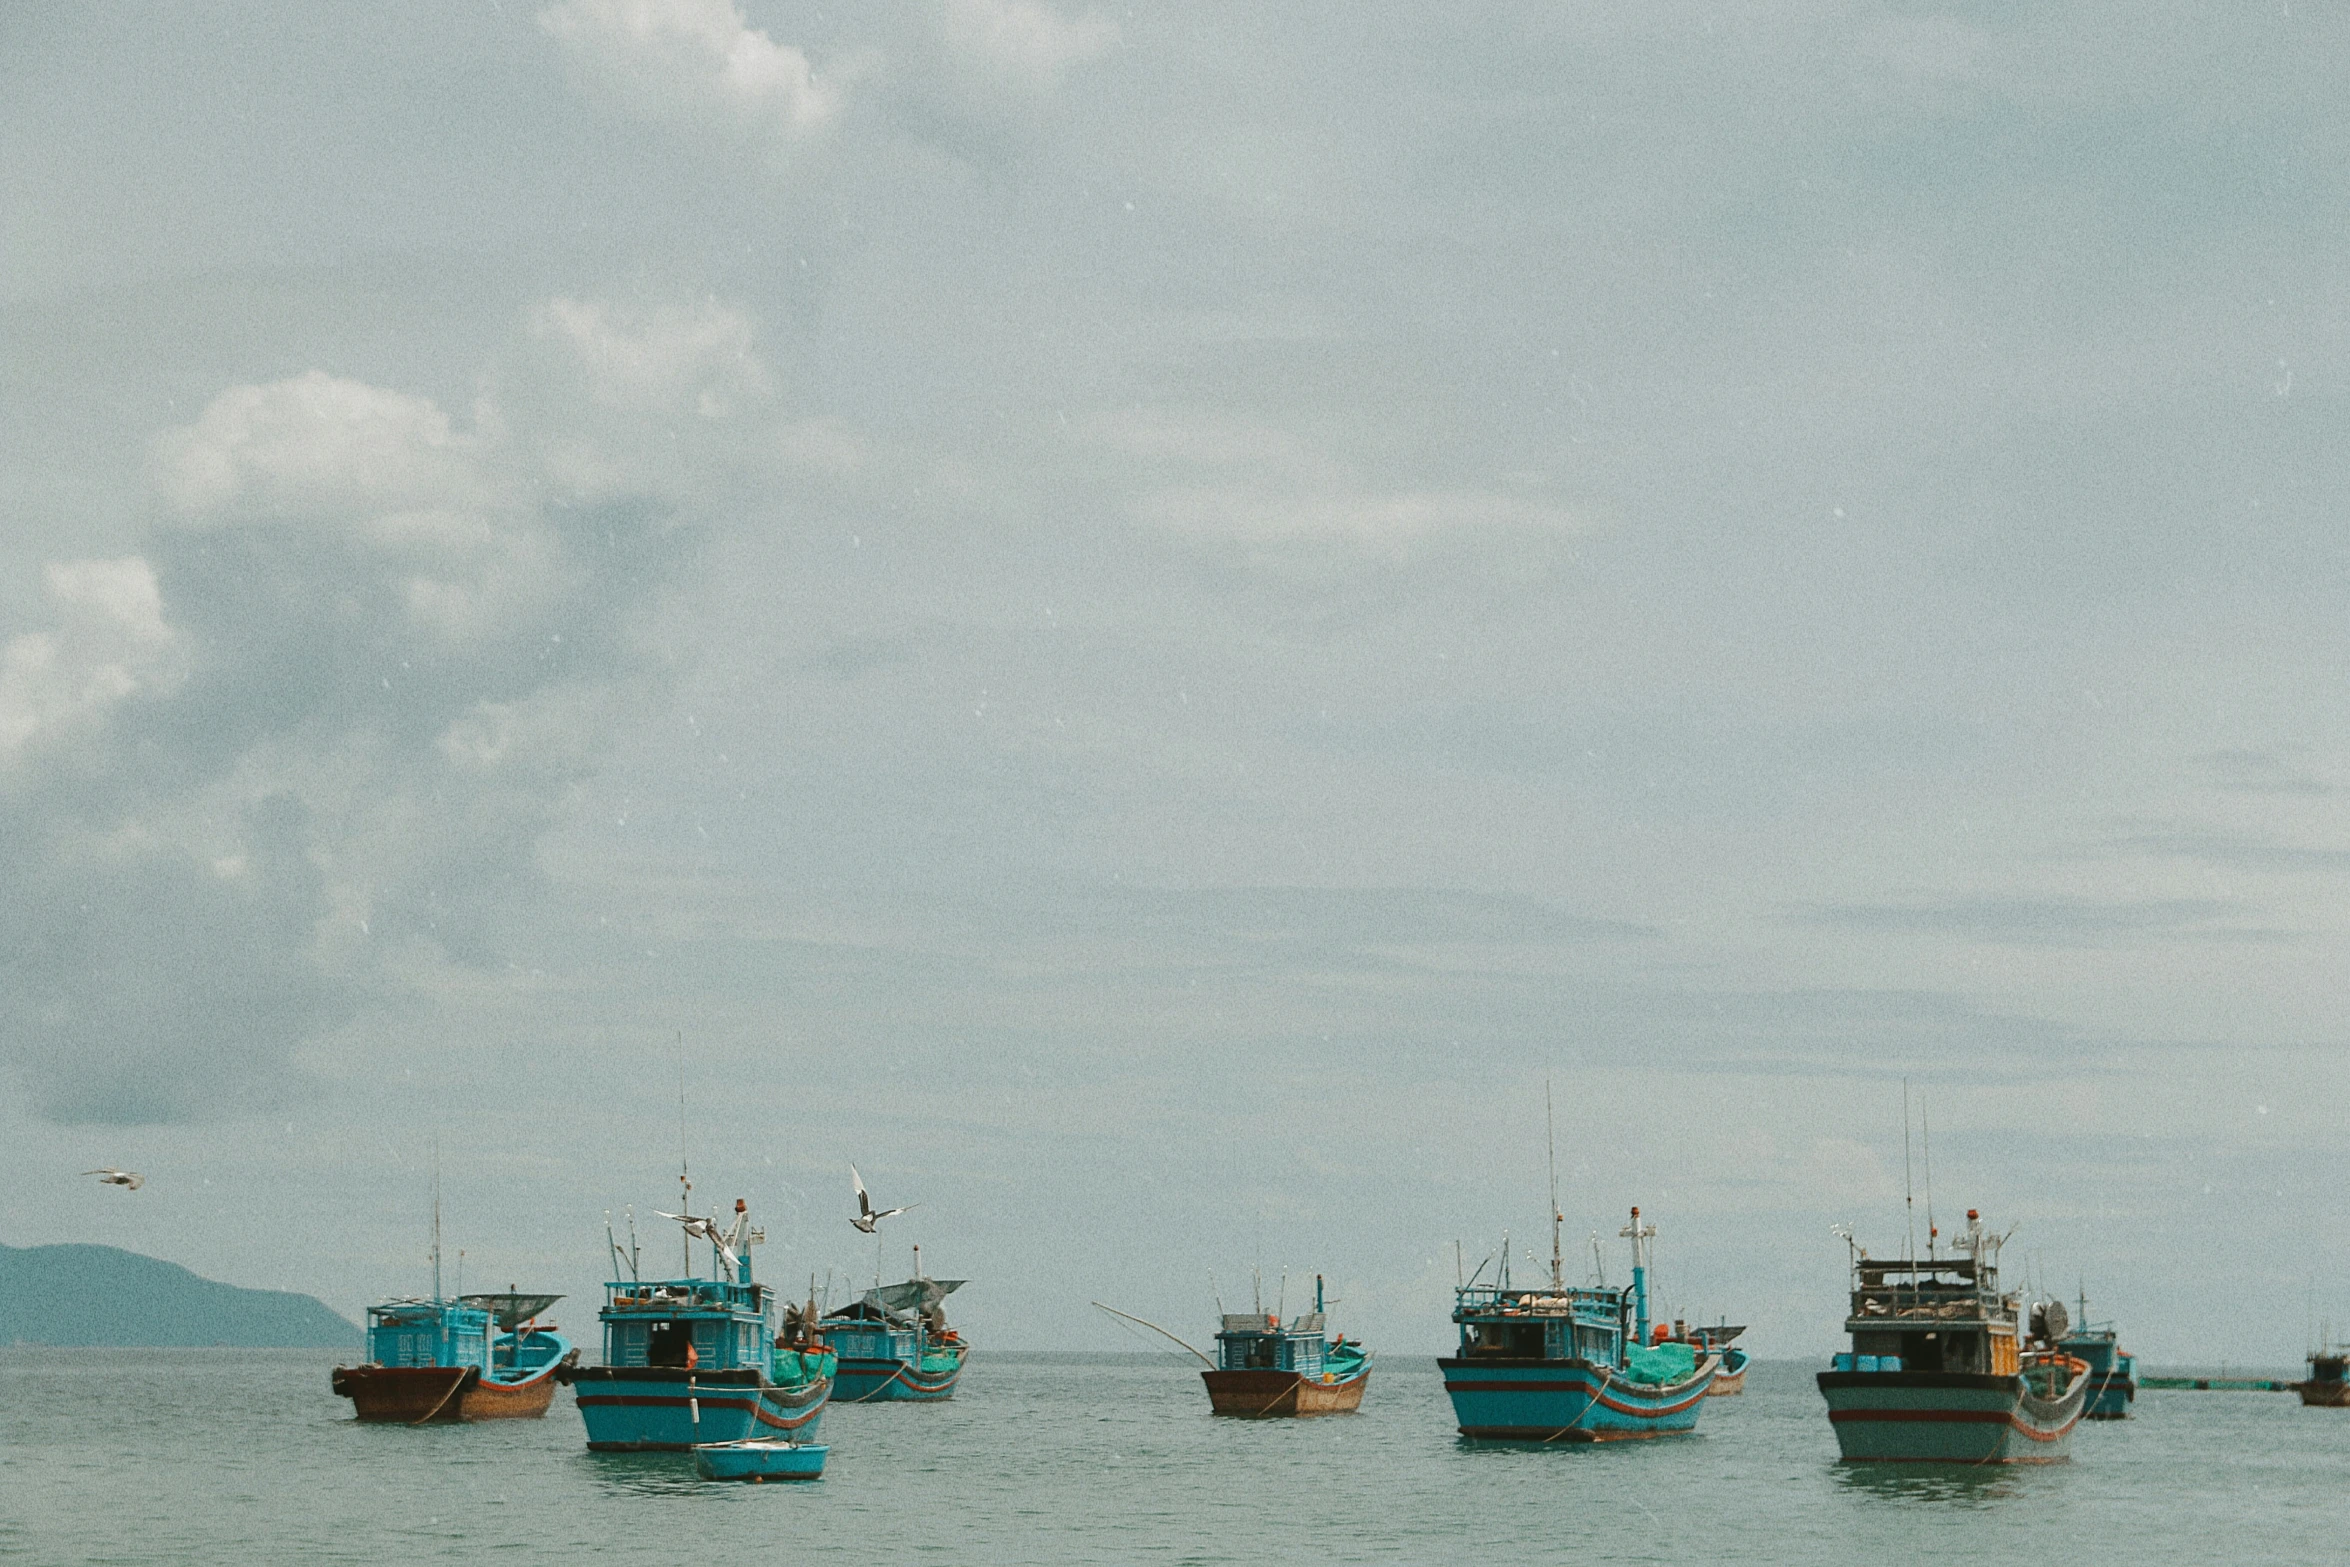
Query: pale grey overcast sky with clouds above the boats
[{"x": 1146, "y": 619}]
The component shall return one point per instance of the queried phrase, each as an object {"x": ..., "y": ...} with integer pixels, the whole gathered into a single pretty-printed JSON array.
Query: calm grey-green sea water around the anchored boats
[{"x": 248, "y": 1458}]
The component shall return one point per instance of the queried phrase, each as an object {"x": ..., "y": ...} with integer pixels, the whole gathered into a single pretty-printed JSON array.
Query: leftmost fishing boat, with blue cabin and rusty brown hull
[{"x": 441, "y": 1361}]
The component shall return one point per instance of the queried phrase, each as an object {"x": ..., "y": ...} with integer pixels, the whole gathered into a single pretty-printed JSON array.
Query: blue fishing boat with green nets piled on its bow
[{"x": 1562, "y": 1364}]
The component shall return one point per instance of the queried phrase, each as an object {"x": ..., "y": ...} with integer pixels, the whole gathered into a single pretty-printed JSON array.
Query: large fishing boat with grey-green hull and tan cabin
[{"x": 1940, "y": 1371}]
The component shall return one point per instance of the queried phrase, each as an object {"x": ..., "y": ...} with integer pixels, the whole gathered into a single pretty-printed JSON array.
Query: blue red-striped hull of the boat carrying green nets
[{"x": 1569, "y": 1401}]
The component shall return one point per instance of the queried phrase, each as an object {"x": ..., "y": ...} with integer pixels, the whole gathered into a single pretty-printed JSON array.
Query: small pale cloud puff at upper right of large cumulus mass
[{"x": 662, "y": 361}]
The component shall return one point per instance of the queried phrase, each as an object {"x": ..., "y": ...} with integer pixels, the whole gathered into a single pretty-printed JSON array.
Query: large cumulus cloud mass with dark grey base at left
[{"x": 300, "y": 753}]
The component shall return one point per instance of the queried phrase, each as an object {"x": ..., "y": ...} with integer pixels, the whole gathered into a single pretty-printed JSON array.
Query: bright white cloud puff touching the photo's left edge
[{"x": 109, "y": 645}]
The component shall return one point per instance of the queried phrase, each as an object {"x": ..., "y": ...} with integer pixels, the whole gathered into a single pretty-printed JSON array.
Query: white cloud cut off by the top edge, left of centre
[{"x": 692, "y": 62}]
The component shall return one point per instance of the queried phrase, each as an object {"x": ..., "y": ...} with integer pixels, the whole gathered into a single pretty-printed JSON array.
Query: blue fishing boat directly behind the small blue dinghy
[{"x": 694, "y": 1361}]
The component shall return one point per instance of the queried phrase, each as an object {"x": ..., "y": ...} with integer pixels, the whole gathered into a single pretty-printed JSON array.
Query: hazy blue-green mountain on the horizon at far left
[{"x": 105, "y": 1296}]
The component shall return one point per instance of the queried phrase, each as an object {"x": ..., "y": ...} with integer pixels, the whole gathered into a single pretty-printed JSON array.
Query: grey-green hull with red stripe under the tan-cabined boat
[{"x": 1949, "y": 1418}]
